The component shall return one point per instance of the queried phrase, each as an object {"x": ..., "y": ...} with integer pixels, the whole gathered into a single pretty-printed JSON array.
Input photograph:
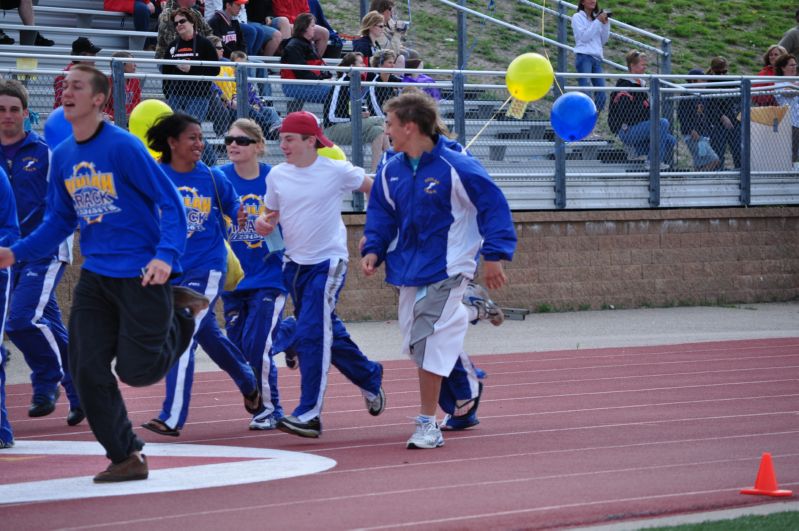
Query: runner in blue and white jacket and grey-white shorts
[{"x": 431, "y": 210}]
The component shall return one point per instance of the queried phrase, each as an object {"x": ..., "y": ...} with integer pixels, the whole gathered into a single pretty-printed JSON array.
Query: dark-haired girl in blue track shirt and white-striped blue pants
[{"x": 207, "y": 196}]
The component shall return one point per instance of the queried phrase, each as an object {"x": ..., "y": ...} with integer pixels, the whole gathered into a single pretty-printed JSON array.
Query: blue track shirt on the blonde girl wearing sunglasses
[{"x": 262, "y": 267}]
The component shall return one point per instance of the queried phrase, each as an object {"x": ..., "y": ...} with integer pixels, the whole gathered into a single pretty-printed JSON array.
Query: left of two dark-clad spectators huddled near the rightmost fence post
[{"x": 695, "y": 128}]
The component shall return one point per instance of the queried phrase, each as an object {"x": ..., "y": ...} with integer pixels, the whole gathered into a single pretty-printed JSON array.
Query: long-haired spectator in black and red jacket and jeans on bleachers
[{"x": 299, "y": 50}]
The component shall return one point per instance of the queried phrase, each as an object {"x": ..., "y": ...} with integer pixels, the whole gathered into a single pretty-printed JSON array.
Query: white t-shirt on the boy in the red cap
[{"x": 309, "y": 201}]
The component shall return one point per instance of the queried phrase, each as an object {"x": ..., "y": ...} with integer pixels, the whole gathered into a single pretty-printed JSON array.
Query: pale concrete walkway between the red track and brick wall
[{"x": 381, "y": 340}]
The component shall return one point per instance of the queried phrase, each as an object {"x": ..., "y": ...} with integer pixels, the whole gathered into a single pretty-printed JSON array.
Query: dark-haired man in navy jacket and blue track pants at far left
[{"x": 34, "y": 318}]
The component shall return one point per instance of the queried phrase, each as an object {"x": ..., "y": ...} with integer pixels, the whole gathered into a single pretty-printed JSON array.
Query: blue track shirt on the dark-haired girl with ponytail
[{"x": 202, "y": 197}]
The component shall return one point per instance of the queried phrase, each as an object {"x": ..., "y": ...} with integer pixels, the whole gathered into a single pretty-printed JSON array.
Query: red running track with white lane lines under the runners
[{"x": 566, "y": 438}]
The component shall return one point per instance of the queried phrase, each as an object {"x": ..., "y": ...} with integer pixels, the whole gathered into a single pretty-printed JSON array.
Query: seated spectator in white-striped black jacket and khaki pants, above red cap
[{"x": 337, "y": 119}]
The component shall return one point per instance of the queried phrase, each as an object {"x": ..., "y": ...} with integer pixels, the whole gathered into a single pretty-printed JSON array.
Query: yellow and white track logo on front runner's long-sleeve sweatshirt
[{"x": 93, "y": 193}]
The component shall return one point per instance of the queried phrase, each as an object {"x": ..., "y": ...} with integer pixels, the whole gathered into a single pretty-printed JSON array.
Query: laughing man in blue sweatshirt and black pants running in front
[{"x": 125, "y": 314}]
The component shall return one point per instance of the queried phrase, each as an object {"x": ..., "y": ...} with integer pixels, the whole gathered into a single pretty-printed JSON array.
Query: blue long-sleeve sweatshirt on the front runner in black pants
[{"x": 127, "y": 209}]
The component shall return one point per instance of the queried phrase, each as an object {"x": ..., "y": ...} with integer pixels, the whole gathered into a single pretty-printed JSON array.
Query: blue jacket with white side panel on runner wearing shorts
[{"x": 428, "y": 223}]
